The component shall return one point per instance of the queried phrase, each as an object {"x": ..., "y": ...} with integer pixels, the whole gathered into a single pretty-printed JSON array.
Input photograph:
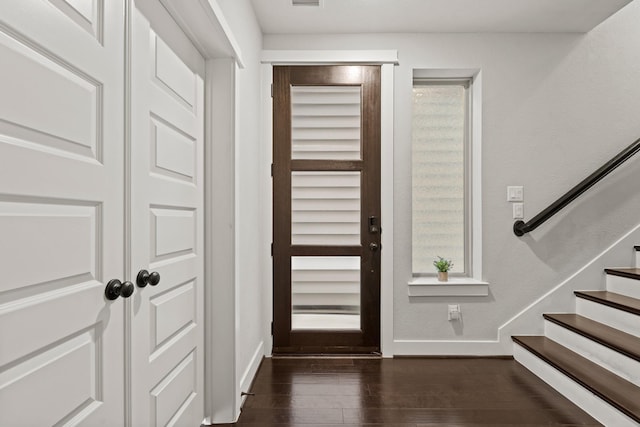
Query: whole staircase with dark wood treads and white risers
[{"x": 593, "y": 356}]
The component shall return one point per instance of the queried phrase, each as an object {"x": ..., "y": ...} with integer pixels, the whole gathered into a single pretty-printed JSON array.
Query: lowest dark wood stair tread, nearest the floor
[{"x": 615, "y": 390}]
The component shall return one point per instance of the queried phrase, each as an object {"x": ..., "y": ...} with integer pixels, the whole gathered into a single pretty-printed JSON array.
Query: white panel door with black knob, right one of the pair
[{"x": 167, "y": 370}]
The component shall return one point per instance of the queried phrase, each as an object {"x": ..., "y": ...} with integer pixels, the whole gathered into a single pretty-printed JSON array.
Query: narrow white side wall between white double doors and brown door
[{"x": 249, "y": 318}]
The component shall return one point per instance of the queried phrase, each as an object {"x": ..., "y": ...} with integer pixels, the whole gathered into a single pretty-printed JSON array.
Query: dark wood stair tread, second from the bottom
[{"x": 612, "y": 338}]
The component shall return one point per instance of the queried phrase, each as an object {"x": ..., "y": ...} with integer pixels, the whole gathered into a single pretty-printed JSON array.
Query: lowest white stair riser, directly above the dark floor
[{"x": 590, "y": 403}]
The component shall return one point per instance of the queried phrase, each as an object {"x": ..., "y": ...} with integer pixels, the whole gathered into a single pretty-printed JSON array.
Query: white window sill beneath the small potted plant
[{"x": 456, "y": 286}]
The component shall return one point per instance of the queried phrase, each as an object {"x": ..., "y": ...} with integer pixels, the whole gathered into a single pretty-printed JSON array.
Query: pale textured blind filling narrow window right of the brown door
[{"x": 439, "y": 194}]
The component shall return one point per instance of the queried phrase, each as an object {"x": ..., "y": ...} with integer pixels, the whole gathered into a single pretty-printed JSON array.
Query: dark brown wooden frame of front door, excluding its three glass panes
[{"x": 366, "y": 340}]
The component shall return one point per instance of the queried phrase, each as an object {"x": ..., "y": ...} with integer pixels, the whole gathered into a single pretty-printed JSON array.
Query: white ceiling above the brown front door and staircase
[{"x": 412, "y": 16}]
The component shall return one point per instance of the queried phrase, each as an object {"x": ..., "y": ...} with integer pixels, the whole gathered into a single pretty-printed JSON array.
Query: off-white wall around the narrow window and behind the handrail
[{"x": 555, "y": 108}]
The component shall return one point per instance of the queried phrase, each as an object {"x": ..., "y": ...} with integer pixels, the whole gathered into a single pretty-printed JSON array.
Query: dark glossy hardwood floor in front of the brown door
[{"x": 404, "y": 393}]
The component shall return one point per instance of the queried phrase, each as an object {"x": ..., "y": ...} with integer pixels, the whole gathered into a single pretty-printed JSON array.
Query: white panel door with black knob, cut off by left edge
[{"x": 61, "y": 204}]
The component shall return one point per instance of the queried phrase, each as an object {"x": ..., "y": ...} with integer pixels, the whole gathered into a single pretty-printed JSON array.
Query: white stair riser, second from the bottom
[{"x": 621, "y": 365}]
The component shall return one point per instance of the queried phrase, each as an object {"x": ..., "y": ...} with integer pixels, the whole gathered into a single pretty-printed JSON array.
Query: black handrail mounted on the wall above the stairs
[{"x": 520, "y": 228}]
